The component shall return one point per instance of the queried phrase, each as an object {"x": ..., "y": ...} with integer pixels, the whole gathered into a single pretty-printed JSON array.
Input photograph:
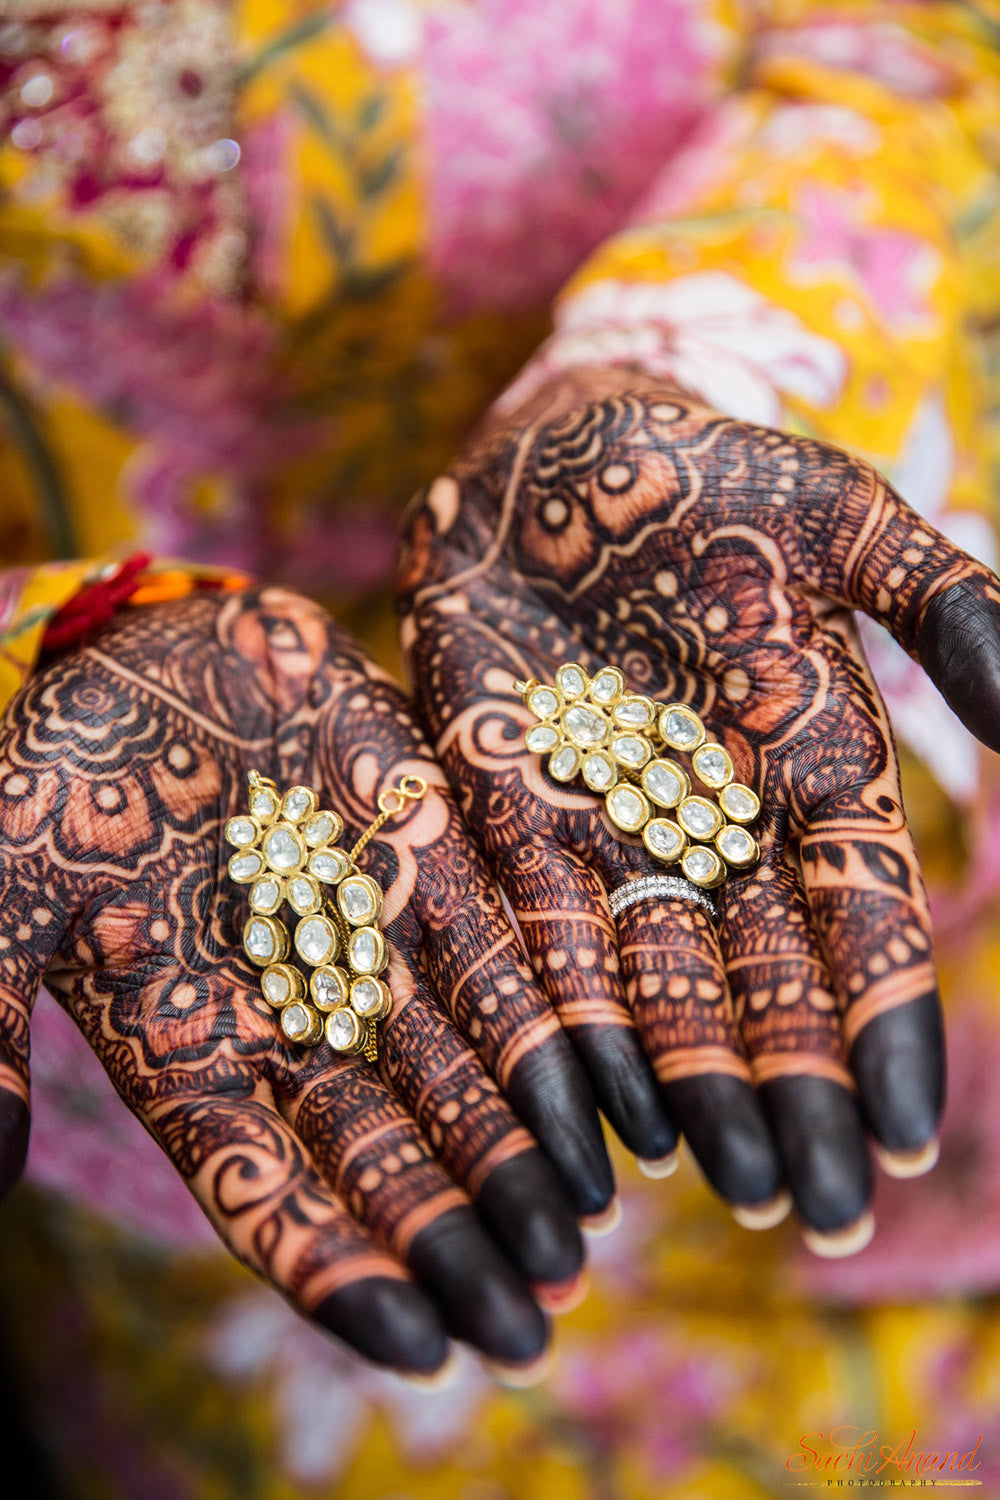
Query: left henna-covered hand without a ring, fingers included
[{"x": 391, "y": 1204}]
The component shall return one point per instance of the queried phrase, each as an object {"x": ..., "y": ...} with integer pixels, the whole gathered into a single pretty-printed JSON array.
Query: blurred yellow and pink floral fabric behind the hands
[{"x": 262, "y": 268}]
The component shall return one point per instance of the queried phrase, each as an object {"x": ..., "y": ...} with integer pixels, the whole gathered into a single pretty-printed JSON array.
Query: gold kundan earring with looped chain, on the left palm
[{"x": 287, "y": 853}]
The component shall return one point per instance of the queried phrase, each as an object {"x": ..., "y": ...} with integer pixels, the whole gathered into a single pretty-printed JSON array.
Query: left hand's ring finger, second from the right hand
[{"x": 478, "y": 1138}]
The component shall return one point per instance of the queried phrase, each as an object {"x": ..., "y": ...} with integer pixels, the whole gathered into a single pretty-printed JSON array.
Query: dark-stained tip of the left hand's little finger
[{"x": 551, "y": 1094}]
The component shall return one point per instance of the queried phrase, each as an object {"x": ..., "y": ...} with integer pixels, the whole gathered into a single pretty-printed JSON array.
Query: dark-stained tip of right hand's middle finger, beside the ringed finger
[{"x": 821, "y": 1135}]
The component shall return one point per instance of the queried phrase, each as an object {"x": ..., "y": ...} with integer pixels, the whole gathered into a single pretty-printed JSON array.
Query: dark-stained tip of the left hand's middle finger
[{"x": 478, "y": 1294}]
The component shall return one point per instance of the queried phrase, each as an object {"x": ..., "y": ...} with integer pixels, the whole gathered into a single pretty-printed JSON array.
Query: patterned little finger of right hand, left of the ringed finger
[{"x": 572, "y": 943}]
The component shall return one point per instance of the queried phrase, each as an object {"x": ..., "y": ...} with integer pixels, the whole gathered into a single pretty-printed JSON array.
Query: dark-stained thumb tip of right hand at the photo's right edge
[{"x": 959, "y": 647}]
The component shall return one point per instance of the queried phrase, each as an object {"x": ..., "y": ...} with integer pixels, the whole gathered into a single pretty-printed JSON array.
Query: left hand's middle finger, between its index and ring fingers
[{"x": 370, "y": 1150}]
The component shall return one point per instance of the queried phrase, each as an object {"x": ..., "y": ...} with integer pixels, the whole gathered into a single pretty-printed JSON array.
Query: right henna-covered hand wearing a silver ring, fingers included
[{"x": 717, "y": 563}]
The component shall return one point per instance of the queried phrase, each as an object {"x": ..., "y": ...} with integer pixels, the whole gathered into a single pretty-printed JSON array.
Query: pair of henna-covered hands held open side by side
[{"x": 400, "y": 1205}]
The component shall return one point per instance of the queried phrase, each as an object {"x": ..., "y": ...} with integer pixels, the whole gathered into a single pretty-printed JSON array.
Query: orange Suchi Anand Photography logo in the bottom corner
[{"x": 851, "y": 1459}]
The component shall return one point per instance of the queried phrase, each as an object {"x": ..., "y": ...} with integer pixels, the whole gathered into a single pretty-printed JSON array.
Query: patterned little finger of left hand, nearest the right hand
[{"x": 475, "y": 964}]
